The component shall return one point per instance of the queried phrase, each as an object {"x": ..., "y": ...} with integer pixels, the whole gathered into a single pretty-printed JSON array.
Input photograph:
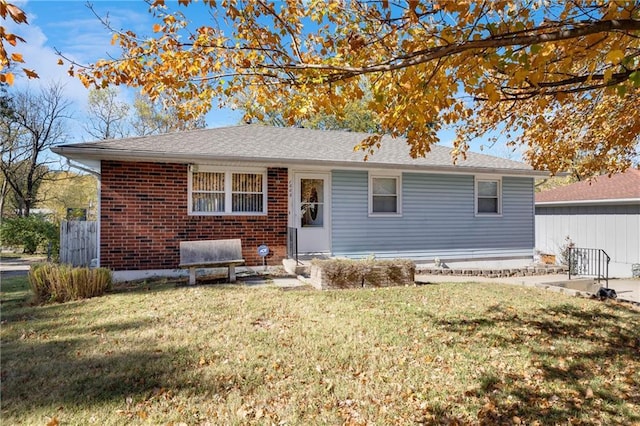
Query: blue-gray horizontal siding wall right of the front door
[{"x": 438, "y": 215}]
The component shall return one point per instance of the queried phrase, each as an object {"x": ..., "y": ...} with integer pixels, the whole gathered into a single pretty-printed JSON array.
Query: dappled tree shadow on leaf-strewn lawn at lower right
[{"x": 584, "y": 362}]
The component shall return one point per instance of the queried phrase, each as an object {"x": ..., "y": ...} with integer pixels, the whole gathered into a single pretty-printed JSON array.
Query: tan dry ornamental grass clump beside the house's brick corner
[{"x": 61, "y": 283}]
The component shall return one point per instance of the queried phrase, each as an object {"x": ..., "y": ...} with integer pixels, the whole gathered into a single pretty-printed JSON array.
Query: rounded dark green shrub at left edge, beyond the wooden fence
[{"x": 31, "y": 233}]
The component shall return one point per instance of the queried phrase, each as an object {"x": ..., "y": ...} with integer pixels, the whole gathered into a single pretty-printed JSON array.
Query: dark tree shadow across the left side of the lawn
[{"x": 39, "y": 372}]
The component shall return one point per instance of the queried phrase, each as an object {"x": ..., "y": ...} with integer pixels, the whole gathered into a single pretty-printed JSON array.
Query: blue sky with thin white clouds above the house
[{"x": 72, "y": 28}]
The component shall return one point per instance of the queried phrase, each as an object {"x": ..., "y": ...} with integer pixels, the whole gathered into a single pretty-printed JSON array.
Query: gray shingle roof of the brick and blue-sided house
[{"x": 257, "y": 143}]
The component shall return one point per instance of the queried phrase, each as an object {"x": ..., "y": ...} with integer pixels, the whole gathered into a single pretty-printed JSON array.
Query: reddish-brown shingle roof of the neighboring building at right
[{"x": 620, "y": 186}]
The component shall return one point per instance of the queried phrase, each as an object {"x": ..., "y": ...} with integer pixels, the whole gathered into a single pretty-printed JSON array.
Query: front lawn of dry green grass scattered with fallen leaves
[{"x": 157, "y": 353}]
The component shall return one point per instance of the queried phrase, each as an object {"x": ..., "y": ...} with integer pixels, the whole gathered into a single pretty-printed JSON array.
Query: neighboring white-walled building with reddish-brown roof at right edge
[{"x": 601, "y": 214}]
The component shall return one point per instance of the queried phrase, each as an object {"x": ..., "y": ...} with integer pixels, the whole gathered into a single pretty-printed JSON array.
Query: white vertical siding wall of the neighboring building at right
[{"x": 615, "y": 229}]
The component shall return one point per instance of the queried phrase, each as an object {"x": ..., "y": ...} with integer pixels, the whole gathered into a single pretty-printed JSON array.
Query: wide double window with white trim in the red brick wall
[{"x": 220, "y": 192}]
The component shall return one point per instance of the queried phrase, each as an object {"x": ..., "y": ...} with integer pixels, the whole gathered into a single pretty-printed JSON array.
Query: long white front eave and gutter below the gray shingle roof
[{"x": 80, "y": 154}]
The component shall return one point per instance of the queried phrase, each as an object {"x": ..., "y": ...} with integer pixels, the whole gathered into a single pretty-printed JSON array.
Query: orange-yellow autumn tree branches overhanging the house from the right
[{"x": 560, "y": 78}]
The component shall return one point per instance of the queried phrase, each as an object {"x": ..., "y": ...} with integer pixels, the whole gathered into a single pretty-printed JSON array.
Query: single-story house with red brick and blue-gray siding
[{"x": 258, "y": 183}]
